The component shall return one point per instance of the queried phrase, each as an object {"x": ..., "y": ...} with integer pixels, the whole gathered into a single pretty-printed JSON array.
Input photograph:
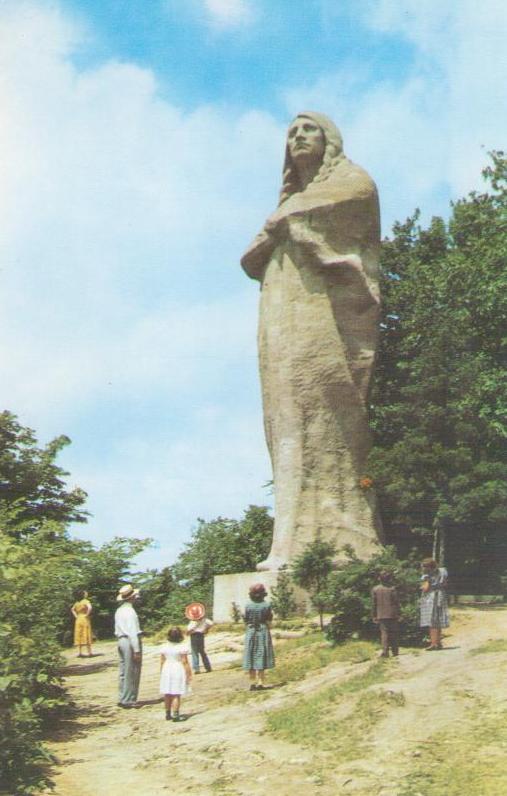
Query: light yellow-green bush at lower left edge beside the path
[{"x": 33, "y": 597}]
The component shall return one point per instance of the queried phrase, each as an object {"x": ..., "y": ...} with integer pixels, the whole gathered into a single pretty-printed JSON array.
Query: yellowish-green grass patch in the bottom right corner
[{"x": 470, "y": 759}]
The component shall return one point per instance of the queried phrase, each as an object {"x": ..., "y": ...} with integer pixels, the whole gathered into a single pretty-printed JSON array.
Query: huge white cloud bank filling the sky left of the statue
[{"x": 125, "y": 319}]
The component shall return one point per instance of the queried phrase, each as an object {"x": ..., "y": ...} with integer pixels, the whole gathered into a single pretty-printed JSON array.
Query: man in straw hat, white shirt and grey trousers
[{"x": 128, "y": 633}]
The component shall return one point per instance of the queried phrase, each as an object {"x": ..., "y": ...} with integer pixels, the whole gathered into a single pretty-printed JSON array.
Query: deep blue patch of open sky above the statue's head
[{"x": 241, "y": 59}]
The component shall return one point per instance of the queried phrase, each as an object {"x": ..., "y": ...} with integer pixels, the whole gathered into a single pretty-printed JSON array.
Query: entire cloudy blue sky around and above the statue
[{"x": 142, "y": 145}]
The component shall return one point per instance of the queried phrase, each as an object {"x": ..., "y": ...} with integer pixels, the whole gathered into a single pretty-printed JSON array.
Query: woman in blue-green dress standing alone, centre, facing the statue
[{"x": 258, "y": 654}]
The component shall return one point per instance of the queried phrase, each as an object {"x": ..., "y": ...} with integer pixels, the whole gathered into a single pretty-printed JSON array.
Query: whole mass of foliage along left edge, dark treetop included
[{"x": 41, "y": 567}]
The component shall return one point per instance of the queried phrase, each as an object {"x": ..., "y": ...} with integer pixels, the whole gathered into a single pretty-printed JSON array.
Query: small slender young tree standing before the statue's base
[{"x": 311, "y": 570}]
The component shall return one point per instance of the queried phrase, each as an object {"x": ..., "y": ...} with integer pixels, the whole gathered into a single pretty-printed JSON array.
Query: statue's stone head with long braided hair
[{"x": 310, "y": 136}]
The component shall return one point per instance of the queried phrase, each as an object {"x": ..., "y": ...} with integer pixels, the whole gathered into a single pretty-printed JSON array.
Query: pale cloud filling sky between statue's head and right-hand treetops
[{"x": 422, "y": 134}]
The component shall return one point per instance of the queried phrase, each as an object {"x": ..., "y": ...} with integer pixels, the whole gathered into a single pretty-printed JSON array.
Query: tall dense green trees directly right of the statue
[{"x": 439, "y": 402}]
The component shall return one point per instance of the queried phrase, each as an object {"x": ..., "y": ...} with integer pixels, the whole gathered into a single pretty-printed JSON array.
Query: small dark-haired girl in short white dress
[{"x": 175, "y": 673}]
